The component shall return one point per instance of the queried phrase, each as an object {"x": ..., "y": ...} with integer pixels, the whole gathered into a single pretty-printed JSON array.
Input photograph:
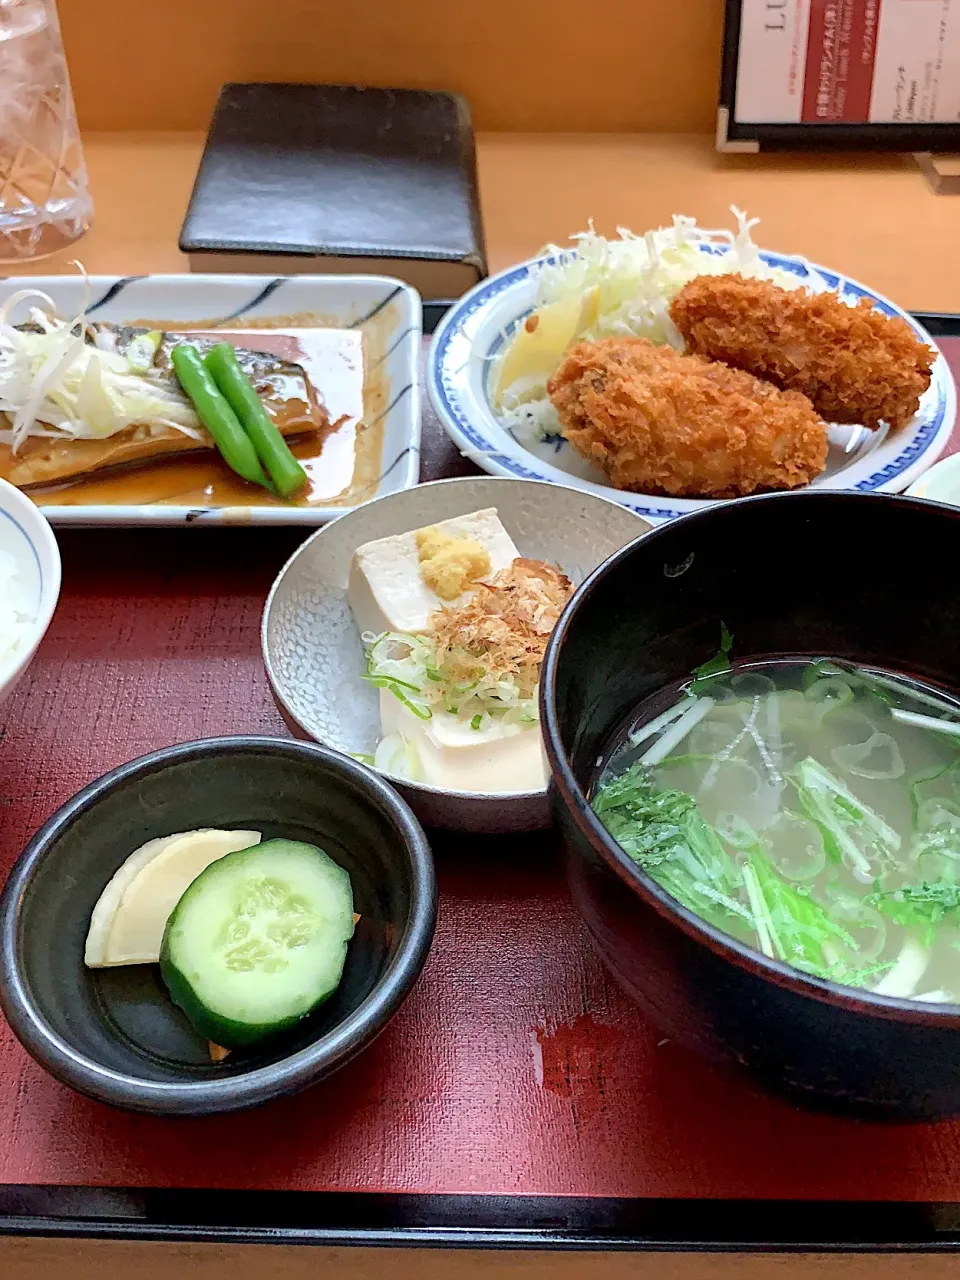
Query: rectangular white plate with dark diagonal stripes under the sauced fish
[{"x": 387, "y": 449}]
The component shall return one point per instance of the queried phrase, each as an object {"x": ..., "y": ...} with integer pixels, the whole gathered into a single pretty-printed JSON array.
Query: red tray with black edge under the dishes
[{"x": 516, "y": 1098}]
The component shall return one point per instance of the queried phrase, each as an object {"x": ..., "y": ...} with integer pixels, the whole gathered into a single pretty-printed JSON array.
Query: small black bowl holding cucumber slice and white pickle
[{"x": 115, "y": 1034}]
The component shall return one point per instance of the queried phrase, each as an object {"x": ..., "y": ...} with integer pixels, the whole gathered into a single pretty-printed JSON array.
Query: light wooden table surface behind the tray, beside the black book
[{"x": 874, "y": 218}]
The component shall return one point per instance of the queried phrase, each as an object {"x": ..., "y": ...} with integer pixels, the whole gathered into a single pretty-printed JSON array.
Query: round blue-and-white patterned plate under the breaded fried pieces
[{"x": 474, "y": 331}]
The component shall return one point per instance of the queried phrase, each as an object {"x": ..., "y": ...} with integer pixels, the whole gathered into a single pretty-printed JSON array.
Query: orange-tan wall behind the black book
[{"x": 524, "y": 65}]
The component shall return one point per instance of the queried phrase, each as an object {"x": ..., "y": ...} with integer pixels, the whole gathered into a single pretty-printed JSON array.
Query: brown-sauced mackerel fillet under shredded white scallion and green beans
[{"x": 286, "y": 391}]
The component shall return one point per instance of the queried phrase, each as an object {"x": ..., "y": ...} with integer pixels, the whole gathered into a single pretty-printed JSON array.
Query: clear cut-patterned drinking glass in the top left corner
[{"x": 44, "y": 200}]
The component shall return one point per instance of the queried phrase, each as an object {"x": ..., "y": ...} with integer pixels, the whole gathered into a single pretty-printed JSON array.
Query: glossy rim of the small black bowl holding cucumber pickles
[{"x": 260, "y": 1085}]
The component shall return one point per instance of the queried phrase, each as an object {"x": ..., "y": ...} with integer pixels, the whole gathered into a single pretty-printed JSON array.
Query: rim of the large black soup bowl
[{"x": 633, "y": 876}]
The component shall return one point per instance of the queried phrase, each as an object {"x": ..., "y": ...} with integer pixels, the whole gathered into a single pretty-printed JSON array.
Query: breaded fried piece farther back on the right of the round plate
[{"x": 854, "y": 364}]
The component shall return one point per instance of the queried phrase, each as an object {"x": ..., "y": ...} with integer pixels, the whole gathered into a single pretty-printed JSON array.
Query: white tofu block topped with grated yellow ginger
[{"x": 394, "y": 582}]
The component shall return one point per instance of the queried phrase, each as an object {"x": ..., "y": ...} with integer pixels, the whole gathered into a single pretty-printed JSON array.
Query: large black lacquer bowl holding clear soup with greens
[{"x": 858, "y": 577}]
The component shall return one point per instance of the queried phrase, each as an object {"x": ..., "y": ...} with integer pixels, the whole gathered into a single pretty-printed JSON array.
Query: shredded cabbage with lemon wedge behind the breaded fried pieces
[{"x": 637, "y": 278}]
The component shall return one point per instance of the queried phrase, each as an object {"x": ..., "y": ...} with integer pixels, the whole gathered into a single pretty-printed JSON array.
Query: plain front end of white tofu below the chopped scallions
[{"x": 459, "y": 758}]
